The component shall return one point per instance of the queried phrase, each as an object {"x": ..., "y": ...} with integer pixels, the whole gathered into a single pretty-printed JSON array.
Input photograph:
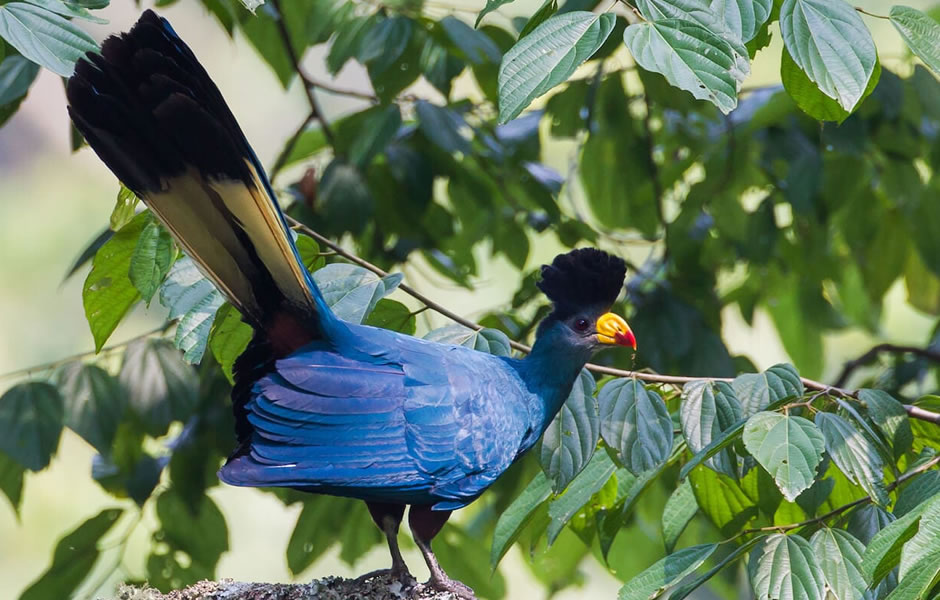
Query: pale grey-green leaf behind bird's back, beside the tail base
[{"x": 352, "y": 291}]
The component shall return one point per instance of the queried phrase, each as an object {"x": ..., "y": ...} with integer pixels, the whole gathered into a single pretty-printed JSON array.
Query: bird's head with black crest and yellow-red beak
[{"x": 582, "y": 285}]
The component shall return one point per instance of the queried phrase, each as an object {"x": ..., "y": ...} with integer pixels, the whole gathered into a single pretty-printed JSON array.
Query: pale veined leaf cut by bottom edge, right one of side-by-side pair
[{"x": 840, "y": 558}]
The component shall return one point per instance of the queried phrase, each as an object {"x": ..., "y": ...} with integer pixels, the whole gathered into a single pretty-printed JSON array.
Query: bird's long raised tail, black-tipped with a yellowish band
[{"x": 153, "y": 115}]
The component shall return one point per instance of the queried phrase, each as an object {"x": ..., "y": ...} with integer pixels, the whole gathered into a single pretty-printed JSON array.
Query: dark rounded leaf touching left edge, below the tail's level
[{"x": 31, "y": 419}]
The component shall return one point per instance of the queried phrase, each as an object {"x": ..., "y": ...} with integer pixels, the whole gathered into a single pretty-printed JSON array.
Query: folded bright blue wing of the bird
[{"x": 419, "y": 424}]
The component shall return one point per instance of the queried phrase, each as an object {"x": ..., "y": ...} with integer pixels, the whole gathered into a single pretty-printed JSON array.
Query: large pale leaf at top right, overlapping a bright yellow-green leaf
[{"x": 829, "y": 42}]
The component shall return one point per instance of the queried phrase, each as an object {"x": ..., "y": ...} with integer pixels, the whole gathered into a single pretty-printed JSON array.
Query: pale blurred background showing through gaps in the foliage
[{"x": 52, "y": 202}]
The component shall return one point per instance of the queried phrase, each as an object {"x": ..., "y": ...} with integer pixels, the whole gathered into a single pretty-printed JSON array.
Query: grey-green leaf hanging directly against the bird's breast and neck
[{"x": 569, "y": 441}]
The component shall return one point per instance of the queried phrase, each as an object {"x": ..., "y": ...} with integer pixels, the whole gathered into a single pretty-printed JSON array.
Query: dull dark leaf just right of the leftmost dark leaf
[{"x": 94, "y": 403}]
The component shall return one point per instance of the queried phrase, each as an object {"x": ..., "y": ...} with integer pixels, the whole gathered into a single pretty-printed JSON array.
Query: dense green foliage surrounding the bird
[{"x": 734, "y": 199}]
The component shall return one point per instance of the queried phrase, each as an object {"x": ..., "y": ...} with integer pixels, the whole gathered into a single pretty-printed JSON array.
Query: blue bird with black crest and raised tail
[{"x": 322, "y": 405}]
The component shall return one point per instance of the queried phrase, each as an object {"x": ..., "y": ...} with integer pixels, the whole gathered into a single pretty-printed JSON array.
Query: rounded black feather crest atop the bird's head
[{"x": 582, "y": 278}]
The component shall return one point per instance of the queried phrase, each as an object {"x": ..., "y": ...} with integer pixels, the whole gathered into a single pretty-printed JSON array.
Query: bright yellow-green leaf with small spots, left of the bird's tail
[{"x": 108, "y": 292}]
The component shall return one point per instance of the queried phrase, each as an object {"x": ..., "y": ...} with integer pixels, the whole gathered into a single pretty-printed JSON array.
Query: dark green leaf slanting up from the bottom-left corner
[{"x": 74, "y": 558}]
